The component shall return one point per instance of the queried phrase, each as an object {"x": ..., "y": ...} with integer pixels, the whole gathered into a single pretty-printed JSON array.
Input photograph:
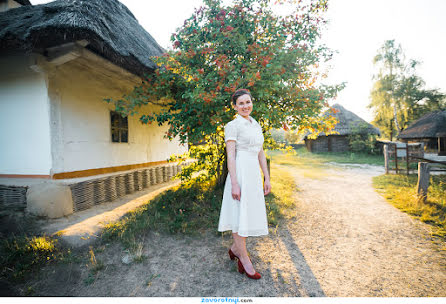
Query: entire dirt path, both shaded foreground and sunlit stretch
[{"x": 346, "y": 240}]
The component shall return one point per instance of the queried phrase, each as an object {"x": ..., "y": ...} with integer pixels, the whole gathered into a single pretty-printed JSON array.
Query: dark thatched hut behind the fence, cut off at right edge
[{"x": 430, "y": 129}]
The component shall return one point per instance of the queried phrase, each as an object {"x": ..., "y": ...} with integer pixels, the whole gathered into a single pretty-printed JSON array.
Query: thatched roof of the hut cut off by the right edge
[{"x": 428, "y": 126}]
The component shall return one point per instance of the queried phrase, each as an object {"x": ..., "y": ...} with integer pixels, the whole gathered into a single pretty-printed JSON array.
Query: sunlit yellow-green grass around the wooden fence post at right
[{"x": 400, "y": 191}]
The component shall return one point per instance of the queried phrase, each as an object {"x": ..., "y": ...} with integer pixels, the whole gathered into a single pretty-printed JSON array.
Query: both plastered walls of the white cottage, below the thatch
[{"x": 54, "y": 120}]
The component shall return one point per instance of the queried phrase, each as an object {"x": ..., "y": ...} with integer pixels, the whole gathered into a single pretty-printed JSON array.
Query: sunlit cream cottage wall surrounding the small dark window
[{"x": 81, "y": 122}]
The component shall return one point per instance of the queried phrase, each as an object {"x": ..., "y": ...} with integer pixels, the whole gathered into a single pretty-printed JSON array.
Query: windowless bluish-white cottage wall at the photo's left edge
[{"x": 24, "y": 119}]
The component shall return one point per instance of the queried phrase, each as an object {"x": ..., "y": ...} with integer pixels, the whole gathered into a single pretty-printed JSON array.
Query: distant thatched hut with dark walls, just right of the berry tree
[{"x": 348, "y": 123}]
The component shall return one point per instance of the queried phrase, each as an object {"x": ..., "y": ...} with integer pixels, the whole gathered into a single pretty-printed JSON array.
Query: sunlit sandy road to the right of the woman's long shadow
[{"x": 359, "y": 245}]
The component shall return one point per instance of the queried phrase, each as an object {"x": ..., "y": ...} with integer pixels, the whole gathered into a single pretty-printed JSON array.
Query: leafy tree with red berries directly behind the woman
[{"x": 221, "y": 48}]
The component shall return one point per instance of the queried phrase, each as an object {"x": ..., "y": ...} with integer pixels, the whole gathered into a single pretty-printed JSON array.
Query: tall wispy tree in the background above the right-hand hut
[{"x": 398, "y": 96}]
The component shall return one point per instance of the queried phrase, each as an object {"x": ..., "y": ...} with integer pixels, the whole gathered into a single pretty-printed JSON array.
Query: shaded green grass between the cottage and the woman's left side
[{"x": 189, "y": 208}]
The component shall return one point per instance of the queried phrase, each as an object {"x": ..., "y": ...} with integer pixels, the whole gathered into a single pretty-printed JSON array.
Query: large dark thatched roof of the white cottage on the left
[{"x": 109, "y": 27}]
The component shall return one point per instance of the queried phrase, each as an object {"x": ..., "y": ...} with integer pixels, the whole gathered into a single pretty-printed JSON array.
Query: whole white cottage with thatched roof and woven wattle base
[{"x": 59, "y": 61}]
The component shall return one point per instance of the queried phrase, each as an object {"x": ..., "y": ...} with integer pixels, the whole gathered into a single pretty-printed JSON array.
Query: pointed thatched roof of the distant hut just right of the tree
[{"x": 349, "y": 123}]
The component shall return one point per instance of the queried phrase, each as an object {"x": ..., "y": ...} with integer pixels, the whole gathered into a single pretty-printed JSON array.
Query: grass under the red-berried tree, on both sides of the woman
[{"x": 191, "y": 209}]
